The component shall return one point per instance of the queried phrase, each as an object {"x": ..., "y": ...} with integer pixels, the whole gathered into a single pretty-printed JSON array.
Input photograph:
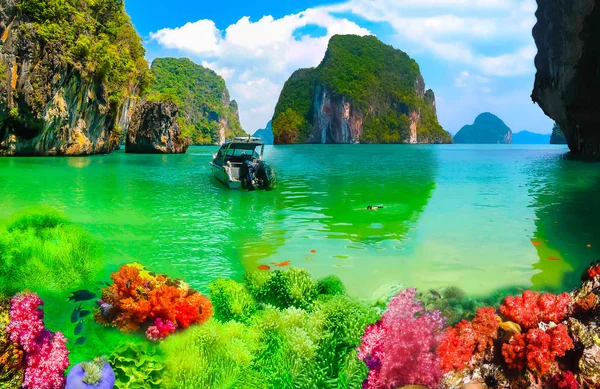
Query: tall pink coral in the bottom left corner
[{"x": 46, "y": 352}]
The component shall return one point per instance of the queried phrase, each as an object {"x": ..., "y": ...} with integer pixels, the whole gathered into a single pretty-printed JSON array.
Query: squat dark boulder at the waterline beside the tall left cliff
[{"x": 154, "y": 130}]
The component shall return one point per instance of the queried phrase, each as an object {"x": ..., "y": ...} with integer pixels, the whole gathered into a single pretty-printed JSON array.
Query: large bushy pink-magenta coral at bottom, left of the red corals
[{"x": 400, "y": 349}]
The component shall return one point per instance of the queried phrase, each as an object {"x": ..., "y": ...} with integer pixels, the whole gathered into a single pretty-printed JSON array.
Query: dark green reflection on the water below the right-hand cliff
[{"x": 567, "y": 229}]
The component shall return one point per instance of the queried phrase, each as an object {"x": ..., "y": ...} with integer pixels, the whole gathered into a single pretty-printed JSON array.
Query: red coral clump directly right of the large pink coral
[{"x": 468, "y": 339}]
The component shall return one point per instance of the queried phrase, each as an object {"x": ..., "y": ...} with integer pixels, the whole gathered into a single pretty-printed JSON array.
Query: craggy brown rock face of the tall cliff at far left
[{"x": 50, "y": 102}]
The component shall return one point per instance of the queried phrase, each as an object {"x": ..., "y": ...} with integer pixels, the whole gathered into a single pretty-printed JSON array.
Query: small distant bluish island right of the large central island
[{"x": 487, "y": 129}]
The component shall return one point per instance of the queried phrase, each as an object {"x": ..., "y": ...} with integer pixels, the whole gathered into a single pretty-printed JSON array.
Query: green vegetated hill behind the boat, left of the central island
[{"x": 202, "y": 97}]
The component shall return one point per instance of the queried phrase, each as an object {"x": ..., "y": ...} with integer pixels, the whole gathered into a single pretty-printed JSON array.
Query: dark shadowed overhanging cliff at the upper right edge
[{"x": 567, "y": 83}]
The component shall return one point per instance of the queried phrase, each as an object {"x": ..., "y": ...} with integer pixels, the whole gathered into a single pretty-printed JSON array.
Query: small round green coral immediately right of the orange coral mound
[{"x": 231, "y": 301}]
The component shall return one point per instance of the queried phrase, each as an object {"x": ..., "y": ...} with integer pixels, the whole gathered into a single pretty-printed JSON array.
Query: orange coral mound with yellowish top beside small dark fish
[{"x": 138, "y": 298}]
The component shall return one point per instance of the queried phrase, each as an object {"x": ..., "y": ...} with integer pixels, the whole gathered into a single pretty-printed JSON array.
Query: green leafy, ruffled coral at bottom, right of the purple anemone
[{"x": 137, "y": 366}]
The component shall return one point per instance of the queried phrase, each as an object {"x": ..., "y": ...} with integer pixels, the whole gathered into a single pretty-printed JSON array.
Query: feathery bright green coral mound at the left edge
[{"x": 42, "y": 251}]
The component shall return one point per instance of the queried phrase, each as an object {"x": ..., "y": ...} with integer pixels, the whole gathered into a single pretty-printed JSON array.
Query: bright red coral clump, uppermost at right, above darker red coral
[{"x": 531, "y": 308}]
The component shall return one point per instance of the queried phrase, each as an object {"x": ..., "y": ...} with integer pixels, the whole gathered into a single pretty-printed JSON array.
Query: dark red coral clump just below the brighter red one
[{"x": 537, "y": 349}]
